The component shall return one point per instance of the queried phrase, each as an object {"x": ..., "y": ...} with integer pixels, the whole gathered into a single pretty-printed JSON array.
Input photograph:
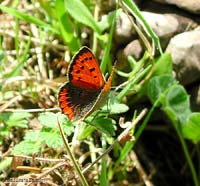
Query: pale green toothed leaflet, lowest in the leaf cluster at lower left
[{"x": 26, "y": 148}]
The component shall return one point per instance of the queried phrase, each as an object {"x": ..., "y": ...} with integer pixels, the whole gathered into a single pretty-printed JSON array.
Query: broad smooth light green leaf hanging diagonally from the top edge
[{"x": 81, "y": 13}]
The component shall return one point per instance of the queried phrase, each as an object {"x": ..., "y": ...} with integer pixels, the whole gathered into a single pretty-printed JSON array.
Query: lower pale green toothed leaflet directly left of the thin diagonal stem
[{"x": 51, "y": 139}]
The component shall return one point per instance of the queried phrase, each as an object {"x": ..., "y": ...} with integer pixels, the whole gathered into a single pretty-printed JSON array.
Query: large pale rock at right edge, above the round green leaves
[{"x": 184, "y": 49}]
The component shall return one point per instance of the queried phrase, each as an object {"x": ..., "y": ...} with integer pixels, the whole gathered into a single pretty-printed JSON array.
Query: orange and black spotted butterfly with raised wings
[{"x": 86, "y": 89}]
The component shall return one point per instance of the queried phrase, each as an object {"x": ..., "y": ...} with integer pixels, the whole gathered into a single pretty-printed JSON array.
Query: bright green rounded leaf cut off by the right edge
[{"x": 191, "y": 129}]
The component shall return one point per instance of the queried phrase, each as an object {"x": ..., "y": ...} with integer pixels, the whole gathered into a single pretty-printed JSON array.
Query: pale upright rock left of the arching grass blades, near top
[{"x": 124, "y": 31}]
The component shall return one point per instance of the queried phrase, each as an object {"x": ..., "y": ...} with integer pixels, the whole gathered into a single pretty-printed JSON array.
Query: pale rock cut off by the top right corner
[{"x": 192, "y": 6}]
